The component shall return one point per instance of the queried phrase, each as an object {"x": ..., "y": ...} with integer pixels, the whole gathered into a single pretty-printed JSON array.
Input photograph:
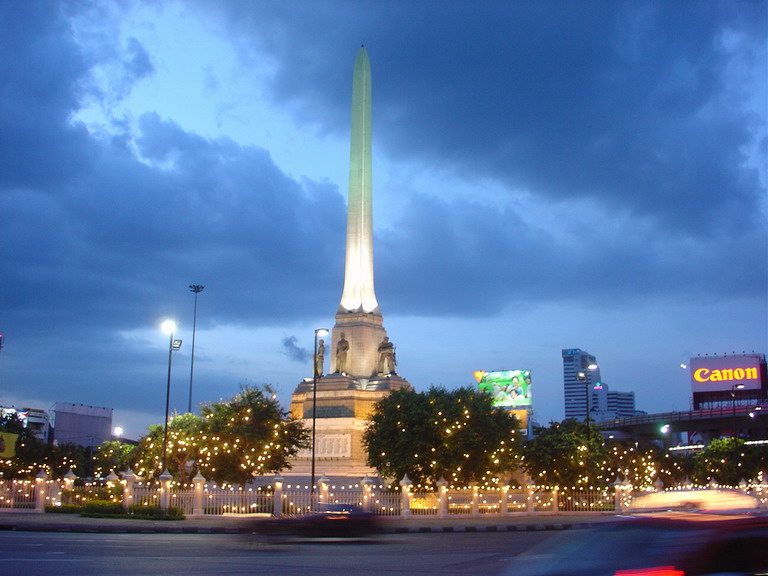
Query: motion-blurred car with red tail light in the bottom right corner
[{"x": 660, "y": 544}]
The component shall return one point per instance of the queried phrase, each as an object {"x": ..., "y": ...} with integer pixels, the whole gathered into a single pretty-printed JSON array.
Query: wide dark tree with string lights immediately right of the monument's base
[{"x": 457, "y": 435}]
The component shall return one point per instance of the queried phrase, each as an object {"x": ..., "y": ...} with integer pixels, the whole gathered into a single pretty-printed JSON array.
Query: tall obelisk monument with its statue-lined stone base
[{"x": 363, "y": 360}]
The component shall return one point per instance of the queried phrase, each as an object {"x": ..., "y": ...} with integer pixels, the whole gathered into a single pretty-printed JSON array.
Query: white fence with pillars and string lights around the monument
[{"x": 206, "y": 499}]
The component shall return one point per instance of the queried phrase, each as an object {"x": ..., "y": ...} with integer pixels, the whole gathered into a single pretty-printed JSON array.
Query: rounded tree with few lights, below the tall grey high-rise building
[{"x": 565, "y": 455}]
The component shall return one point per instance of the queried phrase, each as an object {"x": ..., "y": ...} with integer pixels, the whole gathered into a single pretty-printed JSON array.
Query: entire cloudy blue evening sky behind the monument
[{"x": 547, "y": 175}]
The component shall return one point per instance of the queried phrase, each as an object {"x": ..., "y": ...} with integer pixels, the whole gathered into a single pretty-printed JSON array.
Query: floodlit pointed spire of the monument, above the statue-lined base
[{"x": 359, "y": 294}]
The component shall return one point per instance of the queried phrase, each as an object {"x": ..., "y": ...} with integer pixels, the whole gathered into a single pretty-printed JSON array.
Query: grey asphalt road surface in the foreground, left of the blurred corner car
[{"x": 69, "y": 554}]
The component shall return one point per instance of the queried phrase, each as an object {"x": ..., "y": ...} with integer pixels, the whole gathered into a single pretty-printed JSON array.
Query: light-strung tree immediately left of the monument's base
[{"x": 248, "y": 436}]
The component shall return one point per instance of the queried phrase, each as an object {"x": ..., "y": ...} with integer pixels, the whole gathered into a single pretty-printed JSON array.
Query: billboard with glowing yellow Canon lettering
[{"x": 724, "y": 373}]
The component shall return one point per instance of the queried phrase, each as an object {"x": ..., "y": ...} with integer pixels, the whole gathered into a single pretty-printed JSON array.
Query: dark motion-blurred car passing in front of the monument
[{"x": 328, "y": 521}]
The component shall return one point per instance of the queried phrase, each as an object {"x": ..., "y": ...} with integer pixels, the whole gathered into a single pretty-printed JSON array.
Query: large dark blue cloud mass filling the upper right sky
[{"x": 637, "y": 105}]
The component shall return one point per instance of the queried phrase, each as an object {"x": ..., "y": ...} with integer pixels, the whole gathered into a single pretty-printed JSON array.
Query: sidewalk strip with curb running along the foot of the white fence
[{"x": 245, "y": 524}]
